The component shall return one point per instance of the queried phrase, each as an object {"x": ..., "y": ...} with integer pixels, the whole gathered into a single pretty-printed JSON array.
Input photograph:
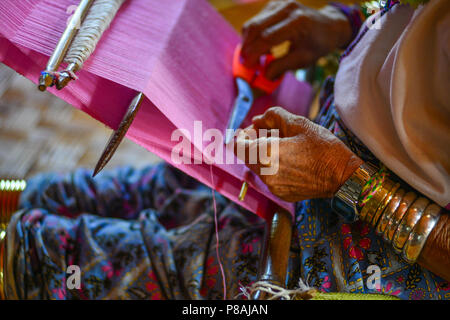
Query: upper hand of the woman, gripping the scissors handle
[{"x": 312, "y": 33}]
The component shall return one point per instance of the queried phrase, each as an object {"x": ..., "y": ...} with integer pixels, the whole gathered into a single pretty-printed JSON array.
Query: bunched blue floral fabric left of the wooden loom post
[{"x": 135, "y": 234}]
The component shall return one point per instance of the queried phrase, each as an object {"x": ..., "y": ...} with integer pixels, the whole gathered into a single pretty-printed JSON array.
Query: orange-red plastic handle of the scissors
[{"x": 254, "y": 76}]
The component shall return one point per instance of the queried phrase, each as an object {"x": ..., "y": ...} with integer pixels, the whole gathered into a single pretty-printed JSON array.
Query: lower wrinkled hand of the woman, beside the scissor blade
[{"x": 312, "y": 162}]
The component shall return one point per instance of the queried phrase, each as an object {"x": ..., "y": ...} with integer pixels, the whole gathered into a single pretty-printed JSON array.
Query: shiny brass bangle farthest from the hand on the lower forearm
[{"x": 420, "y": 233}]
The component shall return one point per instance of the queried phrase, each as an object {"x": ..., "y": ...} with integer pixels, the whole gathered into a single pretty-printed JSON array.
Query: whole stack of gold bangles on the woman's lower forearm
[{"x": 403, "y": 219}]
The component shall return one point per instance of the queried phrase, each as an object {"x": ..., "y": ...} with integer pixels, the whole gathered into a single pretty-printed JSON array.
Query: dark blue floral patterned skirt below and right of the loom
[{"x": 150, "y": 234}]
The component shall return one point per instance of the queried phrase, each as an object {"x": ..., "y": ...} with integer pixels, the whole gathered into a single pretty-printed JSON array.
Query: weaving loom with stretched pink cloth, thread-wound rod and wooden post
[{"x": 172, "y": 54}]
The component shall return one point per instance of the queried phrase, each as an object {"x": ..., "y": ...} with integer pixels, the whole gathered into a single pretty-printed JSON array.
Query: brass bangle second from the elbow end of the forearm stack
[{"x": 408, "y": 222}]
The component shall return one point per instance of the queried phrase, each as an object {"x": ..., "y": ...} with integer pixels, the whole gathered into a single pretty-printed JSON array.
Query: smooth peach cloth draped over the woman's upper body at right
[{"x": 393, "y": 92}]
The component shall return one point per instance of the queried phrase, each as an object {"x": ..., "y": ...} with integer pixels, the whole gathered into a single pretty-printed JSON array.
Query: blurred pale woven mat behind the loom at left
[{"x": 40, "y": 133}]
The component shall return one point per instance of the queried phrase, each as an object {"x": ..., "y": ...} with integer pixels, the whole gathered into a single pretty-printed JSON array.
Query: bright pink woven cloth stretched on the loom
[{"x": 178, "y": 52}]
